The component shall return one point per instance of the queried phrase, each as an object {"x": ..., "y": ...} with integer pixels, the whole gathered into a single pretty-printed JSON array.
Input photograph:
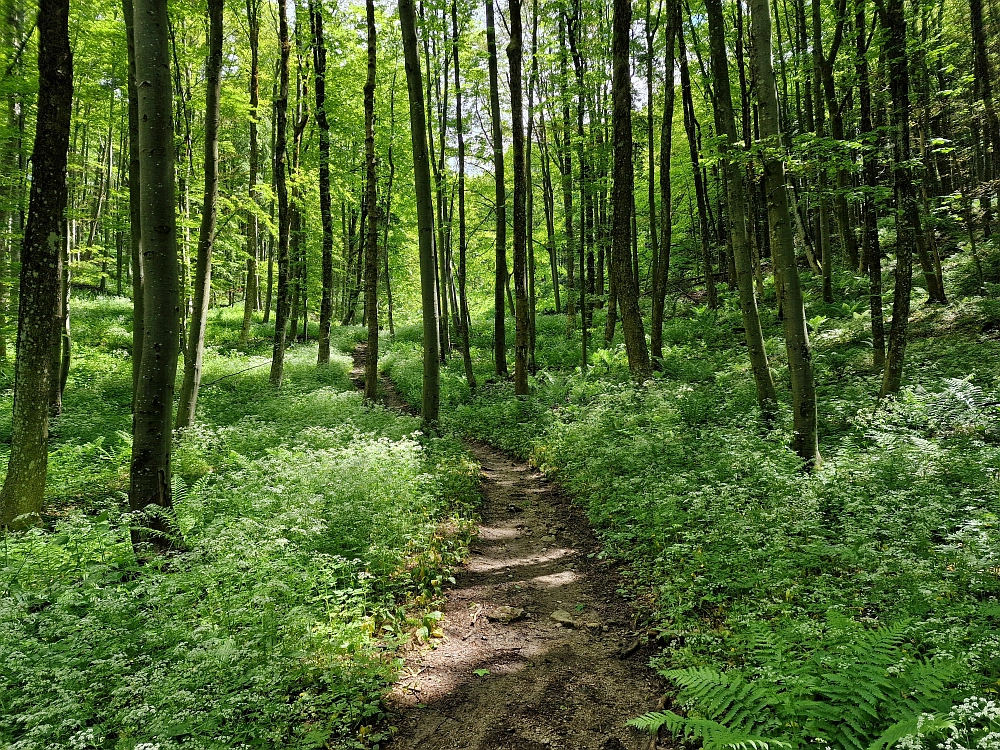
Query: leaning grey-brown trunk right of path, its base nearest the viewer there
[{"x": 805, "y": 441}]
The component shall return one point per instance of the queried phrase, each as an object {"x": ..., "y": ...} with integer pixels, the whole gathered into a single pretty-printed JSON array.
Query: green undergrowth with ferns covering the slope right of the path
[{"x": 764, "y": 585}]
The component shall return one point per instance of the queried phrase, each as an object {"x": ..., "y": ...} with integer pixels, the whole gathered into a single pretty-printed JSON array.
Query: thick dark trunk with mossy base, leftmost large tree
[{"x": 41, "y": 270}]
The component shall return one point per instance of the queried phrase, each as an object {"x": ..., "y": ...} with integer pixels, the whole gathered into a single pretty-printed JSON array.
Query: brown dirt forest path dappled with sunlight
[{"x": 508, "y": 675}]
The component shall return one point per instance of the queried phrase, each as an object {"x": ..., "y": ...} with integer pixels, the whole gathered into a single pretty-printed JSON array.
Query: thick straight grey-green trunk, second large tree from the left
[{"x": 151, "y": 426}]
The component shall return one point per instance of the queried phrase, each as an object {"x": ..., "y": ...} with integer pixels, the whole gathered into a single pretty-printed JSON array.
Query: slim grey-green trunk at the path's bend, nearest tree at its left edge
[{"x": 430, "y": 396}]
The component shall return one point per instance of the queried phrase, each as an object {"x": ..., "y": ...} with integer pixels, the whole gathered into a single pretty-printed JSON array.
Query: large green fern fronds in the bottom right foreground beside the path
[{"x": 861, "y": 691}]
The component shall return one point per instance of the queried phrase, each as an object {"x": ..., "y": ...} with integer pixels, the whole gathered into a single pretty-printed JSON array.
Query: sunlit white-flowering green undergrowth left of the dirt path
[{"x": 320, "y": 532}]
